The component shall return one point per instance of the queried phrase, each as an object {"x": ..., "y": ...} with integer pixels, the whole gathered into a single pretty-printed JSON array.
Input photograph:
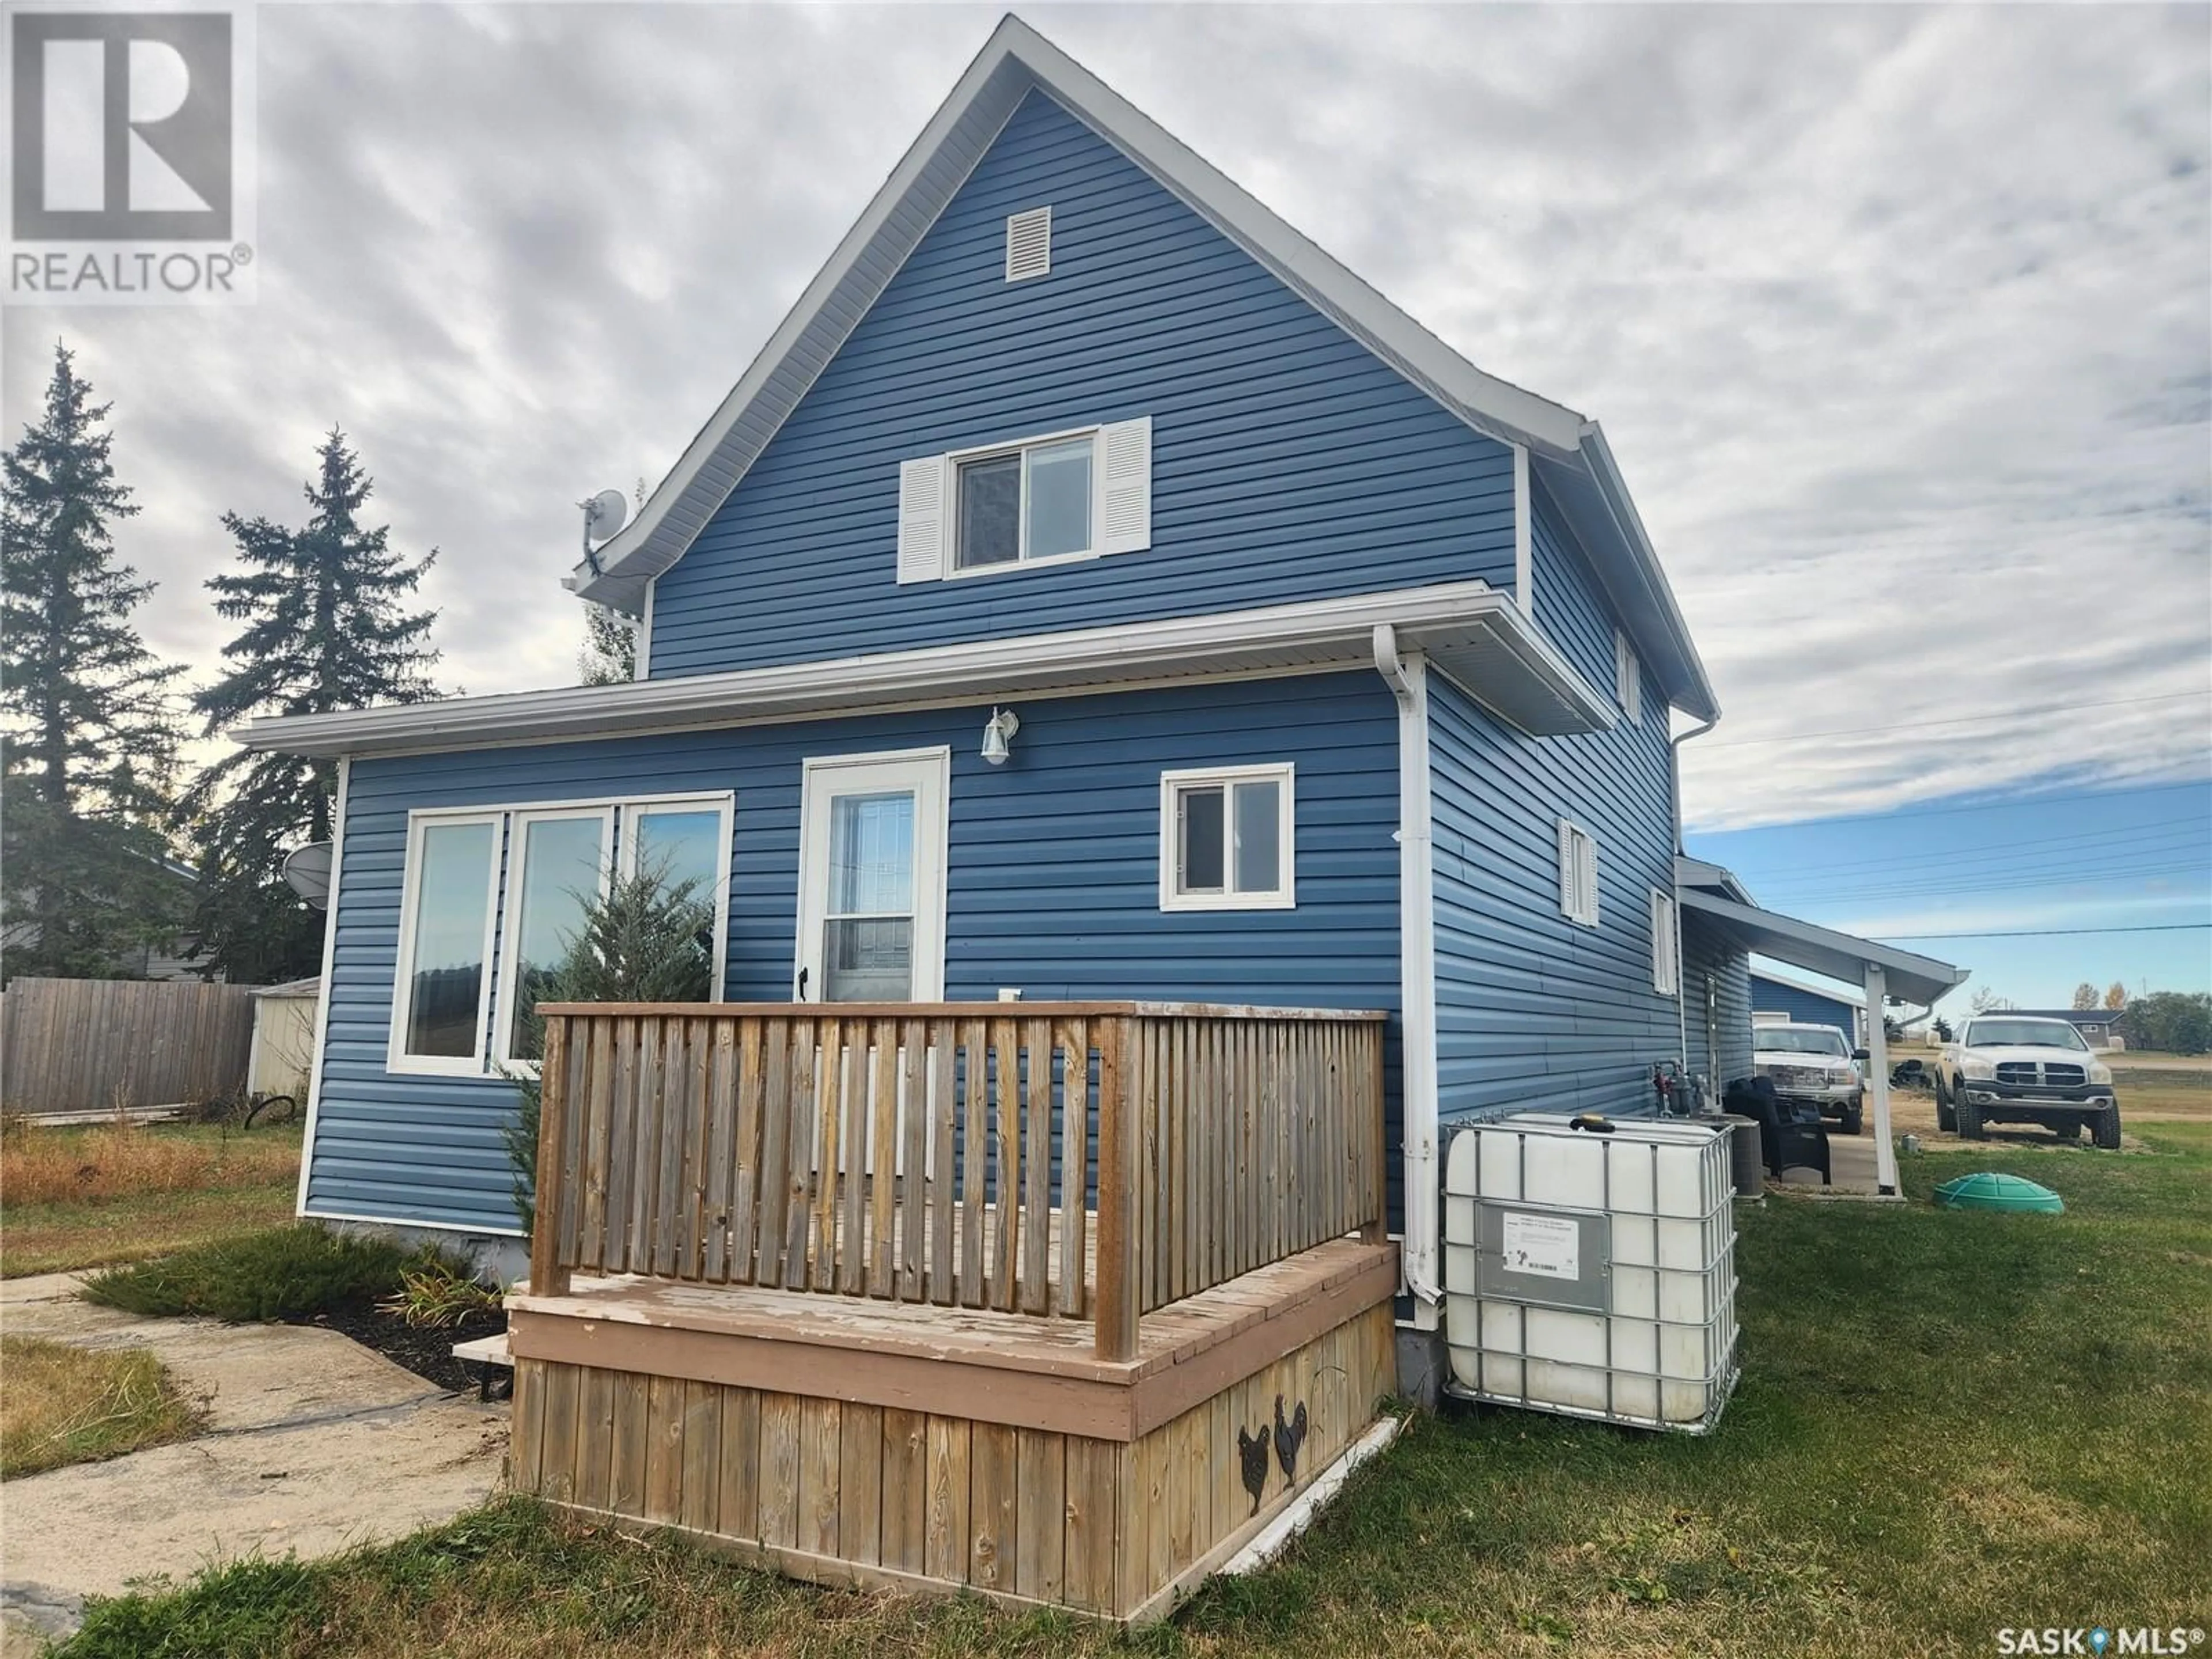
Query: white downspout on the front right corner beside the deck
[{"x": 1417, "y": 974}]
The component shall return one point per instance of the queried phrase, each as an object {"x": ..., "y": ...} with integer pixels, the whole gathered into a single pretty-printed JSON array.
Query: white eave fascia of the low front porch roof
[{"x": 1468, "y": 629}]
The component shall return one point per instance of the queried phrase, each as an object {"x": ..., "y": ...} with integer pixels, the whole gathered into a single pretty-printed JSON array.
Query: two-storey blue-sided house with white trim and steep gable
[{"x": 1092, "y": 598}]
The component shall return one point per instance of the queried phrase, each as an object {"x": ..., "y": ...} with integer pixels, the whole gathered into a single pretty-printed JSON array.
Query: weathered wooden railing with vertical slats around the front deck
[{"x": 1085, "y": 1160}]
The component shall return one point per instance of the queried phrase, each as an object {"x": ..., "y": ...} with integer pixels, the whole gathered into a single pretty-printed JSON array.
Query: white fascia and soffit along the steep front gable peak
[{"x": 928, "y": 176}]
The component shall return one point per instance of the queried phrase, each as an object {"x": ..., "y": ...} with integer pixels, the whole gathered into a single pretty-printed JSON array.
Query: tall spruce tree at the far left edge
[{"x": 90, "y": 753}]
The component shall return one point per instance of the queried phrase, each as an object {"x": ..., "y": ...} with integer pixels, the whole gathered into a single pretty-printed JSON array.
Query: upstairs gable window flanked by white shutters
[{"x": 1027, "y": 503}]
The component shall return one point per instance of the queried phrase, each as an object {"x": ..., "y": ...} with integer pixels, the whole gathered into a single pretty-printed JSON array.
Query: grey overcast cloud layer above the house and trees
[{"x": 1899, "y": 320}]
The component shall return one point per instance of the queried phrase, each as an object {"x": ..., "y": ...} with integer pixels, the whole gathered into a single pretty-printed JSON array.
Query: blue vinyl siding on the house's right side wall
[{"x": 1534, "y": 1012}]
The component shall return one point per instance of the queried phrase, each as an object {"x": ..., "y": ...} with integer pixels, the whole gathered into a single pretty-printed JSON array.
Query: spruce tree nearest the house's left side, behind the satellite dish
[{"x": 324, "y": 629}]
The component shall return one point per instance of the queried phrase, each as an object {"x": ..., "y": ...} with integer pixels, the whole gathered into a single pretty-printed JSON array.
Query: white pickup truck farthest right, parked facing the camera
[{"x": 2014, "y": 1070}]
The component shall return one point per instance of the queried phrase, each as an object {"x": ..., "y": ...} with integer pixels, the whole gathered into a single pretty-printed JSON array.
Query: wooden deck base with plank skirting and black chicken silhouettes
[{"x": 939, "y": 1492}]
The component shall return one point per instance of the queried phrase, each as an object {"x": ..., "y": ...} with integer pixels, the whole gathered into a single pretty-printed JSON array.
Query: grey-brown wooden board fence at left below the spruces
[{"x": 96, "y": 1045}]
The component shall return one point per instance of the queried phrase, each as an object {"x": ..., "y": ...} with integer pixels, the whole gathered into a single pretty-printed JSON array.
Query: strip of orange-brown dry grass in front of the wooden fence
[{"x": 125, "y": 1160}]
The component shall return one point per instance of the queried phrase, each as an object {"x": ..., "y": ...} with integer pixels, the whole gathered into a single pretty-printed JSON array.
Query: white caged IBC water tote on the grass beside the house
[{"x": 1592, "y": 1271}]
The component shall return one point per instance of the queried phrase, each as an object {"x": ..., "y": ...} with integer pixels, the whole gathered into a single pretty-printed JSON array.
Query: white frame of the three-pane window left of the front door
[{"x": 499, "y": 924}]
